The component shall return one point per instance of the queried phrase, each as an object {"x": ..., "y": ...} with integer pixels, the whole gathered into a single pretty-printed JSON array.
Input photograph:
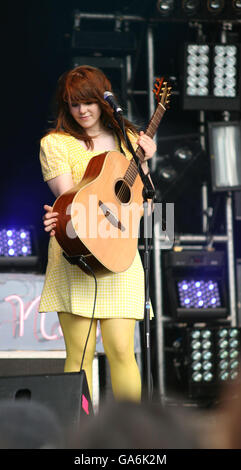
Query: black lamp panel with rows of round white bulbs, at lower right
[{"x": 201, "y": 358}]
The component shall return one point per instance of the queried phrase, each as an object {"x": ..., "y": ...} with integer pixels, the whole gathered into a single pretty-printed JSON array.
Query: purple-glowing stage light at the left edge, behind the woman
[{"x": 17, "y": 247}]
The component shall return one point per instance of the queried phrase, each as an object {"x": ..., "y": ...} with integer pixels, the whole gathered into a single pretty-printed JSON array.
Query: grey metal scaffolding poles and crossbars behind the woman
[{"x": 194, "y": 240}]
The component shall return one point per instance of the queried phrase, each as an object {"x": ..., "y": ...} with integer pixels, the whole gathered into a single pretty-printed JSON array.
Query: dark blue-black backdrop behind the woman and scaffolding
[{"x": 36, "y": 50}]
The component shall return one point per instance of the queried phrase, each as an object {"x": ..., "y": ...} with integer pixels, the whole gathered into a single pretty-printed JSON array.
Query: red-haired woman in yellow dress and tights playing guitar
[{"x": 85, "y": 127}]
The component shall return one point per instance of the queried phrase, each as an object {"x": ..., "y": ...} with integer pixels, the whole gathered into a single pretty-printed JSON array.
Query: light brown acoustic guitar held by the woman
[{"x": 99, "y": 217}]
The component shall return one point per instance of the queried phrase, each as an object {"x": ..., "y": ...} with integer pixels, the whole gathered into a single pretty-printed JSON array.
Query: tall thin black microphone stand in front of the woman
[{"x": 148, "y": 194}]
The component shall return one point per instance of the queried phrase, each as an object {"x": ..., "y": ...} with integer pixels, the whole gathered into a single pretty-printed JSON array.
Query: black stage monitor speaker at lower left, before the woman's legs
[{"x": 67, "y": 394}]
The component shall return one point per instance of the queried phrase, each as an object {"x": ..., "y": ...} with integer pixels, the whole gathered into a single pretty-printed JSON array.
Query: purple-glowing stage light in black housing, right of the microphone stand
[{"x": 195, "y": 286}]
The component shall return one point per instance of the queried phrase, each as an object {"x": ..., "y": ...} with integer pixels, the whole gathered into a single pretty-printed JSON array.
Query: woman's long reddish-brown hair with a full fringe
[{"x": 84, "y": 84}]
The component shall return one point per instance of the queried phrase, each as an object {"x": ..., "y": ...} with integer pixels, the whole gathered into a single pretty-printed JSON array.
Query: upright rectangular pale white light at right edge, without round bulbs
[{"x": 225, "y": 151}]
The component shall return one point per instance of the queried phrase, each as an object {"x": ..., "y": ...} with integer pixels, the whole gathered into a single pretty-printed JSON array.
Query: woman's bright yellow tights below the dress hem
[{"x": 118, "y": 342}]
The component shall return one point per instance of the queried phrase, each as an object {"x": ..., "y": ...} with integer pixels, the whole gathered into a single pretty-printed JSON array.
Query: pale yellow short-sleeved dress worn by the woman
[{"x": 66, "y": 287}]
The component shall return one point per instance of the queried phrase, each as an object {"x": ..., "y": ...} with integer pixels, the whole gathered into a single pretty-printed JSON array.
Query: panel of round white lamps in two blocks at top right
[{"x": 211, "y": 79}]
